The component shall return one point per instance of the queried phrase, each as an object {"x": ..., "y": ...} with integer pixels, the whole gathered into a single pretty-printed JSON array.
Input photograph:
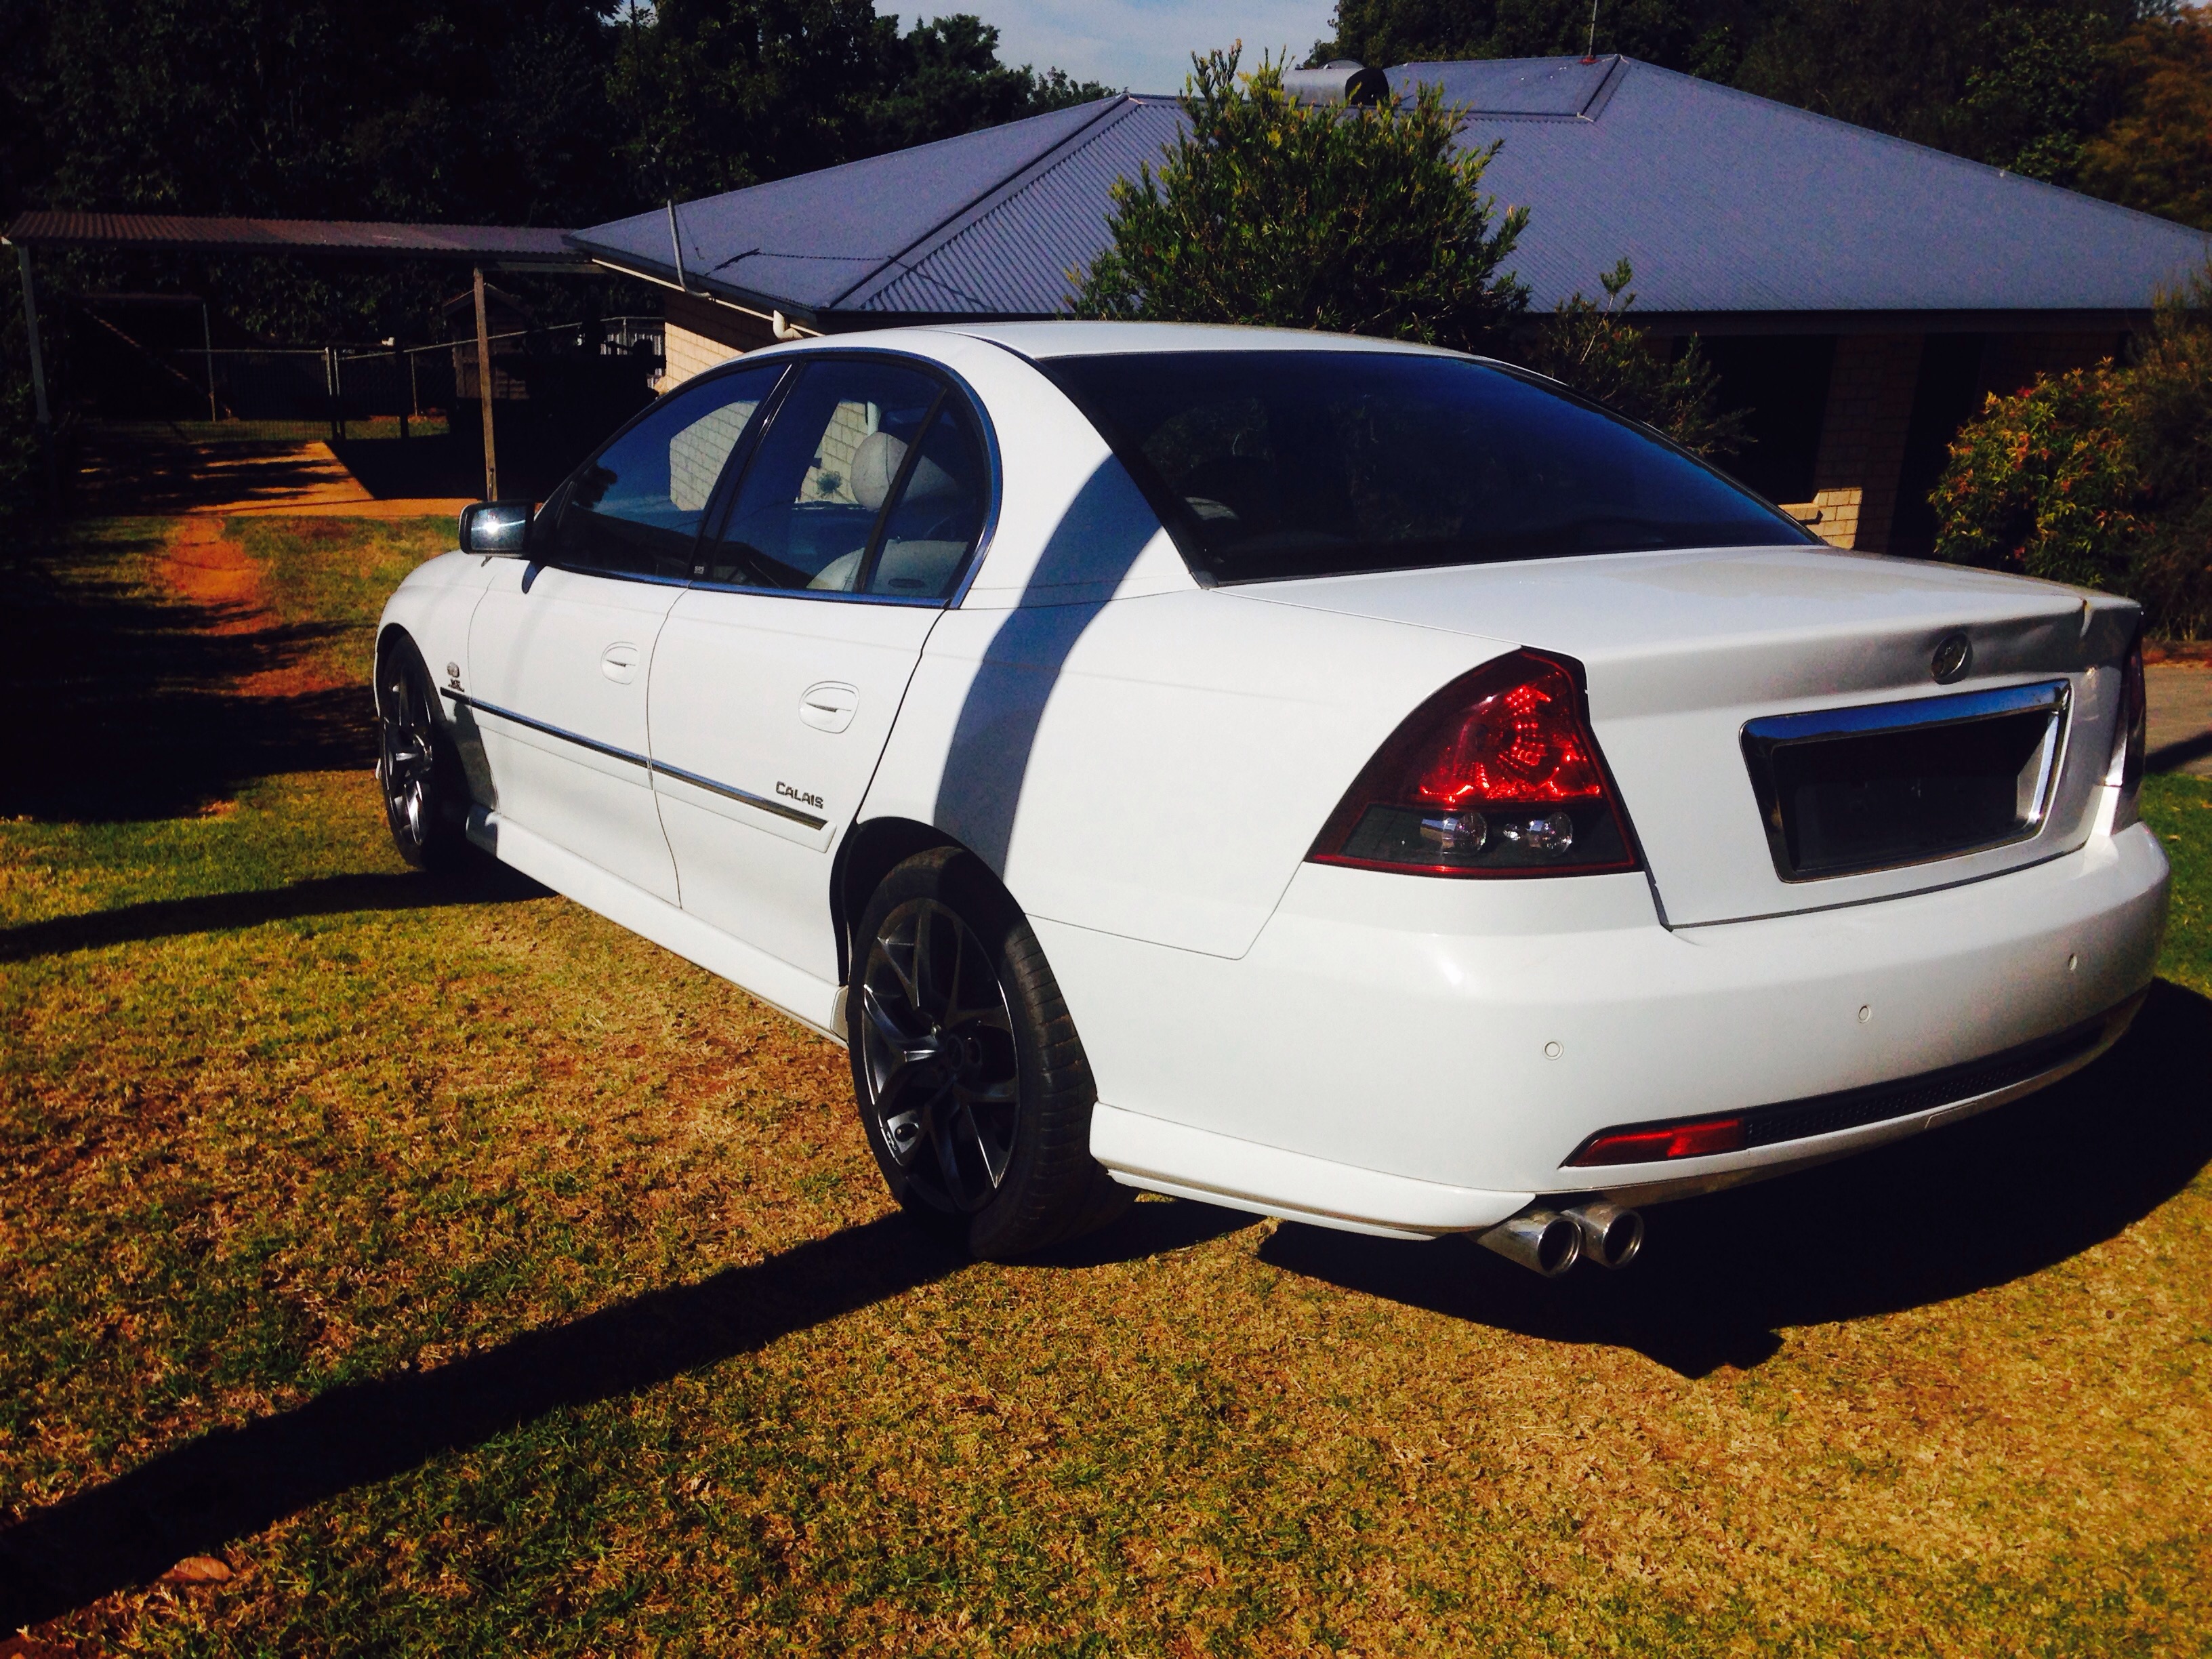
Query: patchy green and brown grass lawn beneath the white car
[{"x": 437, "y": 1269}]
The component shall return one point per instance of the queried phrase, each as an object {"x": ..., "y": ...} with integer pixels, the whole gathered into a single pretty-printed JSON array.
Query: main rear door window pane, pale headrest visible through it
[{"x": 806, "y": 514}]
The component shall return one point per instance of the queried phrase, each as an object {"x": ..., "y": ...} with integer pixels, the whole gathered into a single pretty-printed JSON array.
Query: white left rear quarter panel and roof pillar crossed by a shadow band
[{"x": 1129, "y": 751}]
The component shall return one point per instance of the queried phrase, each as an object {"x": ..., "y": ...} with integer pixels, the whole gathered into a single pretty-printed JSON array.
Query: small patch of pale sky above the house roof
[{"x": 1145, "y": 45}]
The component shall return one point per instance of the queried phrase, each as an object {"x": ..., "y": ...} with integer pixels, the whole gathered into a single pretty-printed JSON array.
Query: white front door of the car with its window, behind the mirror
[{"x": 561, "y": 649}]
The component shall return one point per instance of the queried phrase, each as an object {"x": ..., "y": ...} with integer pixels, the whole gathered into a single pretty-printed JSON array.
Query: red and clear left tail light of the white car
[{"x": 1496, "y": 775}]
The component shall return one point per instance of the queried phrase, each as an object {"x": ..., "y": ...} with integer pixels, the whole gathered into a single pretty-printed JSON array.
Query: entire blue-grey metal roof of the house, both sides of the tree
[{"x": 1722, "y": 200}]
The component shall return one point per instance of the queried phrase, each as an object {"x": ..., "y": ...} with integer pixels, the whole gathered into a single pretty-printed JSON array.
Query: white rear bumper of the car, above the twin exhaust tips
[{"x": 1465, "y": 1039}]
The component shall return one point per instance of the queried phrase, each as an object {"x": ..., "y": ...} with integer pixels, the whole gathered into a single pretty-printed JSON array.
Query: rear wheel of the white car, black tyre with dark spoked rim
[{"x": 972, "y": 1081}]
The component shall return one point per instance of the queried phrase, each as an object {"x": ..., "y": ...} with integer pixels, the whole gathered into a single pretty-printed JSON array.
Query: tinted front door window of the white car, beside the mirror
[{"x": 636, "y": 508}]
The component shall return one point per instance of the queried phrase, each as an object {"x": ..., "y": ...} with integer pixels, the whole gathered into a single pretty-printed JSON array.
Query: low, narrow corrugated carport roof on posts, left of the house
[{"x": 165, "y": 231}]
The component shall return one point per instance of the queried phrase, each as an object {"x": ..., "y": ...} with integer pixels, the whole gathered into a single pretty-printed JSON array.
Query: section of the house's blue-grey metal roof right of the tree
[{"x": 1726, "y": 202}]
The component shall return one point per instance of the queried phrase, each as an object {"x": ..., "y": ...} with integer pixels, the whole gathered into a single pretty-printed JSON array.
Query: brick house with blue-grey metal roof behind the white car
[{"x": 1857, "y": 293}]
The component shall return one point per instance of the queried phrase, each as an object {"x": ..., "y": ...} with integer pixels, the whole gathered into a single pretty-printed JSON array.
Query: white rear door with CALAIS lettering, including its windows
[{"x": 780, "y": 674}]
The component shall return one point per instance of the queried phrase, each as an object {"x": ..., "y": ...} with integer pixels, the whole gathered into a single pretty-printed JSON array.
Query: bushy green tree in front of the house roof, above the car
[{"x": 1266, "y": 211}]
